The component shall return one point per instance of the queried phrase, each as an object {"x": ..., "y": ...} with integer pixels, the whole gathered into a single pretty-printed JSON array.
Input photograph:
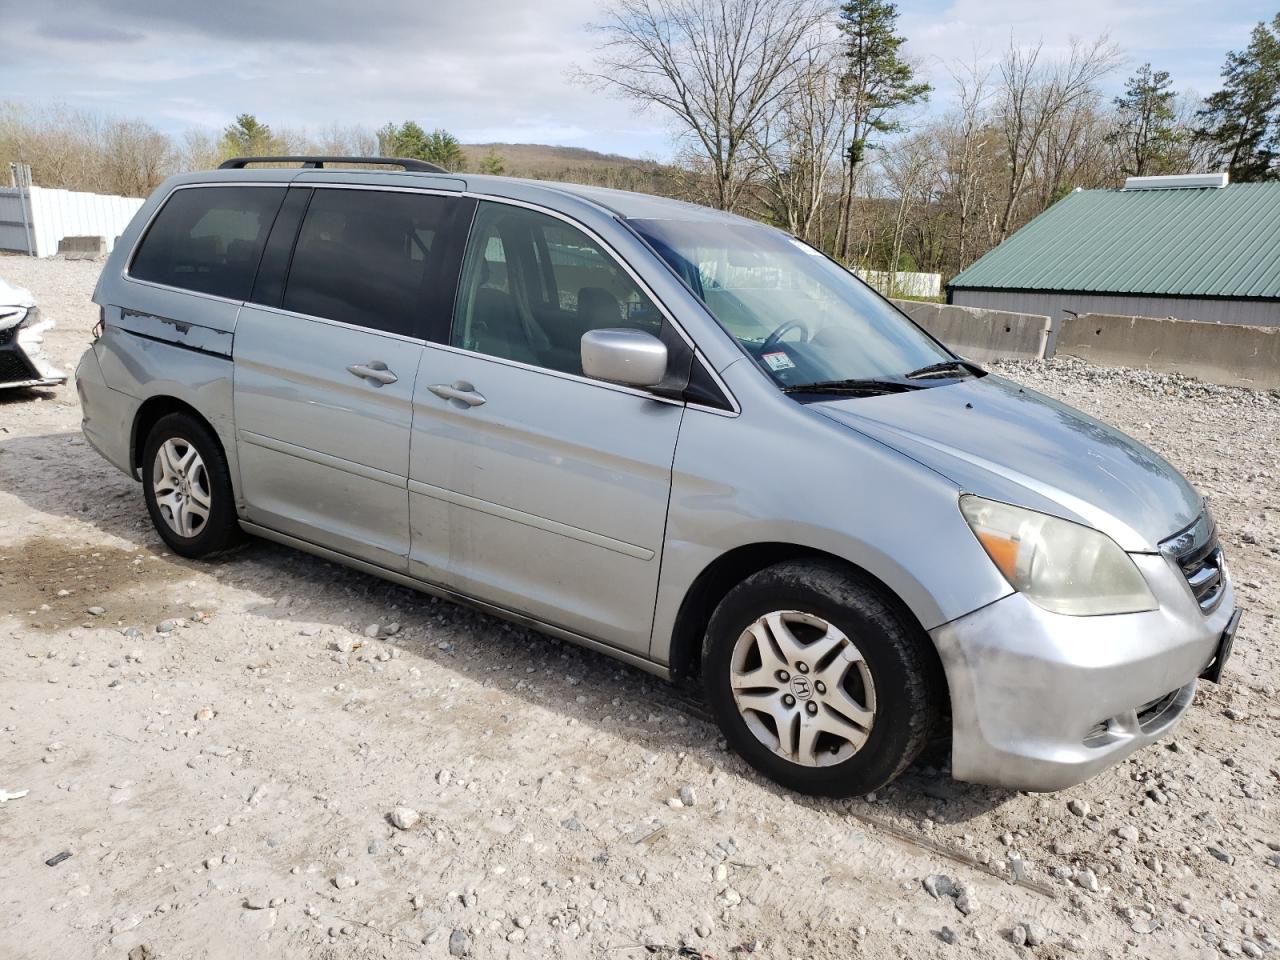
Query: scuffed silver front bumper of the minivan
[{"x": 1043, "y": 701}]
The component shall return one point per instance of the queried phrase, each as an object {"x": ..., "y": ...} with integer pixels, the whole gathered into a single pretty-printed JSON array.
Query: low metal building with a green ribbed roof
[{"x": 1190, "y": 248}]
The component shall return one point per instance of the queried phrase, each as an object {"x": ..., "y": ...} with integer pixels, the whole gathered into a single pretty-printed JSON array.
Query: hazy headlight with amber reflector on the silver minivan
[{"x": 1058, "y": 565}]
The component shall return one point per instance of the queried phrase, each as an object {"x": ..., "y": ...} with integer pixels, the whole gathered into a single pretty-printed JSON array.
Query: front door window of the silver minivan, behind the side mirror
[{"x": 532, "y": 286}]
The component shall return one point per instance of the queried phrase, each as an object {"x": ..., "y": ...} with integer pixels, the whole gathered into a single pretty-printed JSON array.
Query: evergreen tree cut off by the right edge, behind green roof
[{"x": 1242, "y": 121}]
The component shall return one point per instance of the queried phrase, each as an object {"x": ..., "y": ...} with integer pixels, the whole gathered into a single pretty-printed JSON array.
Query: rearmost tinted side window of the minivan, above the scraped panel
[{"x": 209, "y": 240}]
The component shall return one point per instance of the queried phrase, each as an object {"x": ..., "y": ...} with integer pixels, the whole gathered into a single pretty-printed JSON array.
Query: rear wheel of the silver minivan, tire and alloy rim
[{"x": 189, "y": 488}]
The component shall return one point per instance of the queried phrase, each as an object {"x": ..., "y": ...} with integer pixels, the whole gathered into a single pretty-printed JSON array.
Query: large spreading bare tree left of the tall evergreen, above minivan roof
[{"x": 717, "y": 67}]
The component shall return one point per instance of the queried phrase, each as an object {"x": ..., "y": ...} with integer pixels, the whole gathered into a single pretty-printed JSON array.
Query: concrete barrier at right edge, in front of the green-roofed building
[{"x": 1224, "y": 354}]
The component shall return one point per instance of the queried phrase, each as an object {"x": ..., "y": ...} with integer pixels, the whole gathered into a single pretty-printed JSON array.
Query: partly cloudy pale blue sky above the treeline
[{"x": 492, "y": 71}]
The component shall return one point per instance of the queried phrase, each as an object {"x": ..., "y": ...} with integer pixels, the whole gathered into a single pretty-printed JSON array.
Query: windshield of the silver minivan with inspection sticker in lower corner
[{"x": 799, "y": 316}]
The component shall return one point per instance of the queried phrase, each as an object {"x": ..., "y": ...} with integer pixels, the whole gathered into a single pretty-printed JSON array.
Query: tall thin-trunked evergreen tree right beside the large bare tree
[{"x": 877, "y": 83}]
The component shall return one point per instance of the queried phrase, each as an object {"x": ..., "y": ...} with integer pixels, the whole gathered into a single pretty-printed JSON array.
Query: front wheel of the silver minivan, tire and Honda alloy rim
[{"x": 819, "y": 682}]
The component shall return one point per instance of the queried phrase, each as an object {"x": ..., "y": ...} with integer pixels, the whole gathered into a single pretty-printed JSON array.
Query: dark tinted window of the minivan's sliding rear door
[{"x": 371, "y": 259}]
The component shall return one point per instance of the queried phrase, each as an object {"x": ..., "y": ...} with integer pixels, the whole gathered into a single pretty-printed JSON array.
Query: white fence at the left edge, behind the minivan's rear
[{"x": 53, "y": 214}]
